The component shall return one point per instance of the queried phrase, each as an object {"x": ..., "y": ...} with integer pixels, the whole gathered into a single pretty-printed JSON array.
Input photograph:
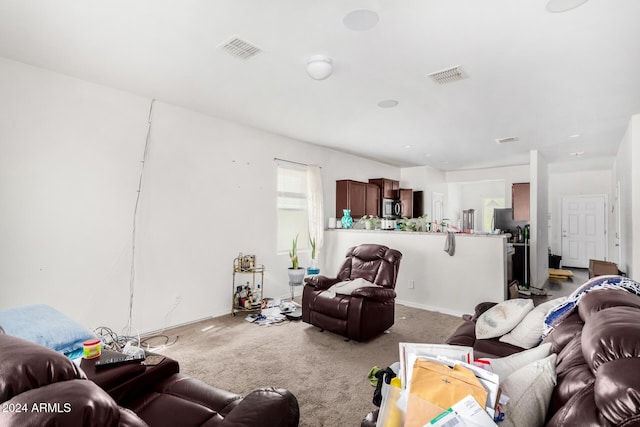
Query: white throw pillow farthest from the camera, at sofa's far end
[{"x": 502, "y": 317}]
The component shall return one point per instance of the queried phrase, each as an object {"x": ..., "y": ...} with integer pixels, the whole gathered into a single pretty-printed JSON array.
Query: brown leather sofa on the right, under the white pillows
[{"x": 598, "y": 365}]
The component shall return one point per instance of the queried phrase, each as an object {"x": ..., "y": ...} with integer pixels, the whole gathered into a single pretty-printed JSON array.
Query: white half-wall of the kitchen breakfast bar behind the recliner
[{"x": 429, "y": 277}]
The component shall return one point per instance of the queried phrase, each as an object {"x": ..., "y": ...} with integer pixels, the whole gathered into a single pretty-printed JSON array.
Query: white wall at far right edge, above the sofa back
[{"x": 627, "y": 174}]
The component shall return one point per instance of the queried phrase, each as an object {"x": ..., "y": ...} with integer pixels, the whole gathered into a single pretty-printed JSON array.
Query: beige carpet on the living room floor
[{"x": 327, "y": 374}]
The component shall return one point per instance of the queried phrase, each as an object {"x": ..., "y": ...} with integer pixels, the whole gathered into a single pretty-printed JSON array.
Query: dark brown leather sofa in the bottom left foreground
[{"x": 40, "y": 387}]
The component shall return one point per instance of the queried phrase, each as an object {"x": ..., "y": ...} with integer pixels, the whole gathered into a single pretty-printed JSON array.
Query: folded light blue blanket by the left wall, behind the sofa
[{"x": 45, "y": 325}]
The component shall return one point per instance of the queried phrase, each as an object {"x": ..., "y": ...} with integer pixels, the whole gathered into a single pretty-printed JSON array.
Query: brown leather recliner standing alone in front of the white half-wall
[{"x": 367, "y": 311}]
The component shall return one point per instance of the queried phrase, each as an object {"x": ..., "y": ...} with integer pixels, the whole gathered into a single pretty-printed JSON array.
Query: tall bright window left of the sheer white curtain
[{"x": 292, "y": 207}]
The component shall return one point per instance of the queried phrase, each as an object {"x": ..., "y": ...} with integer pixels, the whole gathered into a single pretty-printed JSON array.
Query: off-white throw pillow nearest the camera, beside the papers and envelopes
[{"x": 529, "y": 390}]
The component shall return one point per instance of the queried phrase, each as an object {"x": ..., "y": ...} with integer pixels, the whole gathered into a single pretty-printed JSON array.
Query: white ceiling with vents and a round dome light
[{"x": 532, "y": 74}]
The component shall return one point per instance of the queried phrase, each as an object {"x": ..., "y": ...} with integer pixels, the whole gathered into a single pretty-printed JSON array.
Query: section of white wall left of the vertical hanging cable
[{"x": 69, "y": 166}]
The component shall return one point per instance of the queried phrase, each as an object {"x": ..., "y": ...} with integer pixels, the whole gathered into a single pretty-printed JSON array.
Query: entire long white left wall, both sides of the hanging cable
[{"x": 70, "y": 166}]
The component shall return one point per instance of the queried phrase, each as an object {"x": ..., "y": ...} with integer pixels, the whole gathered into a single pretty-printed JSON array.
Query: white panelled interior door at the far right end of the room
[{"x": 583, "y": 230}]
